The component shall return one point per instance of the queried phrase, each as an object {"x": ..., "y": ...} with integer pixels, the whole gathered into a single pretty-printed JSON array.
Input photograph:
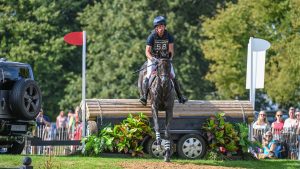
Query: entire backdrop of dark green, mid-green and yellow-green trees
[{"x": 210, "y": 46}]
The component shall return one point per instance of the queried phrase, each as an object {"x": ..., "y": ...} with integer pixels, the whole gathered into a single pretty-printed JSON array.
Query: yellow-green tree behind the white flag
[{"x": 225, "y": 46}]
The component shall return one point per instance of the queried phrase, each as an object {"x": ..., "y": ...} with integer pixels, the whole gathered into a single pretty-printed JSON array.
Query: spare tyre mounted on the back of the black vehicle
[{"x": 26, "y": 99}]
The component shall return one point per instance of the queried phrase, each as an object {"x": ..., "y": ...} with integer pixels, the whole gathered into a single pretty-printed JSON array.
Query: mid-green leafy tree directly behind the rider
[{"x": 117, "y": 33}]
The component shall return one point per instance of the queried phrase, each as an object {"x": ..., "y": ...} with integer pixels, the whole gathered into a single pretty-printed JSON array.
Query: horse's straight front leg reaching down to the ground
[{"x": 169, "y": 116}]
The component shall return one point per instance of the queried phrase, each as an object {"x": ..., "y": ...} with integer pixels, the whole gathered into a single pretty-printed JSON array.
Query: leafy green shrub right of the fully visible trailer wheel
[{"x": 221, "y": 134}]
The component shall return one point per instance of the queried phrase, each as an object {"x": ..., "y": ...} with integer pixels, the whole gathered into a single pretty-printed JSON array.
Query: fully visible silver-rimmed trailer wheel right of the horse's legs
[{"x": 191, "y": 146}]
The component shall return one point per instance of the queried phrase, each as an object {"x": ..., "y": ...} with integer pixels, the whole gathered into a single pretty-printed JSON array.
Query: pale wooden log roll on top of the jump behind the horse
[{"x": 122, "y": 107}]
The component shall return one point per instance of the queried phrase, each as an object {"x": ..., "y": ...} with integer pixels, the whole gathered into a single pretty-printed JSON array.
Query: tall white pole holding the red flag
[{"x": 83, "y": 86}]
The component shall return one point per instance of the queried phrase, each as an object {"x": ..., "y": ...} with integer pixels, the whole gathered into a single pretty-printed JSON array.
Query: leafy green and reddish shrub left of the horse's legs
[{"x": 125, "y": 137}]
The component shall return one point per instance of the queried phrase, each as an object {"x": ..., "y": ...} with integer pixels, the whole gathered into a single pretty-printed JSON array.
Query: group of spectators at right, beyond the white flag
[{"x": 279, "y": 136}]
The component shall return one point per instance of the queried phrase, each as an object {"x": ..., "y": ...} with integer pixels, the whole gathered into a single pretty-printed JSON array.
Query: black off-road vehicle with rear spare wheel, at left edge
[{"x": 20, "y": 102}]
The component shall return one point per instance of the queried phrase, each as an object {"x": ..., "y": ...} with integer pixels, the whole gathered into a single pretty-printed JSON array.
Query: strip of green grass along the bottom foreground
[{"x": 73, "y": 162}]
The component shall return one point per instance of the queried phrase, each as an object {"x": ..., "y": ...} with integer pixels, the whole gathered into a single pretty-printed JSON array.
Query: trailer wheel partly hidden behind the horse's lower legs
[{"x": 157, "y": 152}]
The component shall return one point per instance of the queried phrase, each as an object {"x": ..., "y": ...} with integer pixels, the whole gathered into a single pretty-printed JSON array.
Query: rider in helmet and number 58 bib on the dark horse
[{"x": 159, "y": 44}]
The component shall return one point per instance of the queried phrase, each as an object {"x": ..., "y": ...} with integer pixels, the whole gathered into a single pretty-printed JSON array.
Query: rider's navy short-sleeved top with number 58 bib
[{"x": 159, "y": 45}]
